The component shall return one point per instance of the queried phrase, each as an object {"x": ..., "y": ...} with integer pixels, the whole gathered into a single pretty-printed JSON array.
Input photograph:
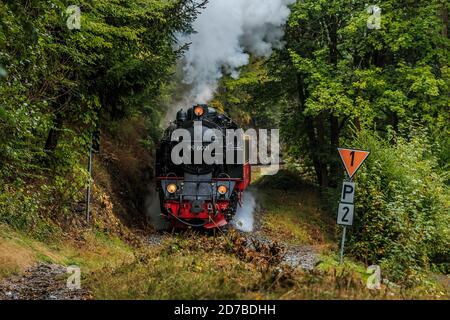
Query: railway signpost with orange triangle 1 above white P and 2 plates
[{"x": 352, "y": 160}]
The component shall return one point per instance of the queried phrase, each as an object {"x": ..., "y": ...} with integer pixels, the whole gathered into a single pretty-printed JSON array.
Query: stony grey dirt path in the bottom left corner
[{"x": 42, "y": 282}]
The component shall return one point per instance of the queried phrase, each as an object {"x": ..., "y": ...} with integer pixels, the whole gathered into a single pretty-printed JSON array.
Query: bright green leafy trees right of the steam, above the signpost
[{"x": 350, "y": 76}]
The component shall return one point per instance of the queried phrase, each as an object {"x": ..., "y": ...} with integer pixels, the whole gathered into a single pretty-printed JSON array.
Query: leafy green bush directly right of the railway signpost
[{"x": 402, "y": 207}]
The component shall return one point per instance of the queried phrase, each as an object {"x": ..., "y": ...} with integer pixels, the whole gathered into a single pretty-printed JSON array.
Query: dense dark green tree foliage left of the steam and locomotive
[{"x": 61, "y": 85}]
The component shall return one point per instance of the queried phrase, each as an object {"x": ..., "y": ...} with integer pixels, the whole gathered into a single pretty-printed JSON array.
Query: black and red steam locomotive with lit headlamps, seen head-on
[{"x": 201, "y": 193}]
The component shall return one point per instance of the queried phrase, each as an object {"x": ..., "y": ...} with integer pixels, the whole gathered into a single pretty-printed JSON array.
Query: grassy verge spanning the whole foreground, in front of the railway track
[{"x": 194, "y": 267}]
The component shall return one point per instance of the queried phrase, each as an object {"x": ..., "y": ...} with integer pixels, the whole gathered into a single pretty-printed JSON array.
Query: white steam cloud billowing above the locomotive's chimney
[{"x": 227, "y": 31}]
